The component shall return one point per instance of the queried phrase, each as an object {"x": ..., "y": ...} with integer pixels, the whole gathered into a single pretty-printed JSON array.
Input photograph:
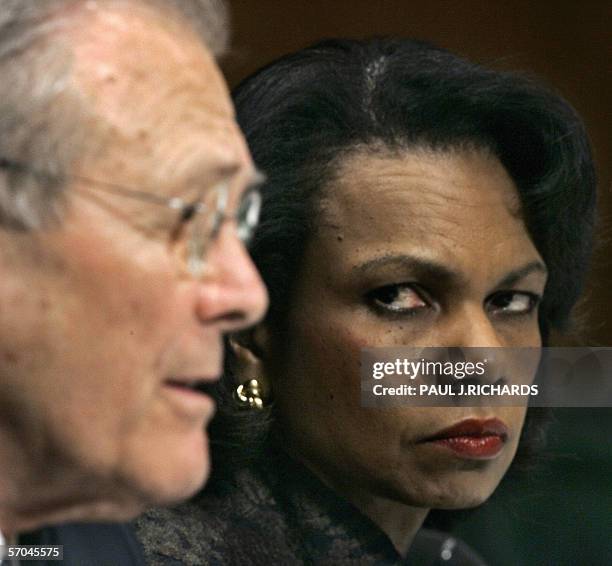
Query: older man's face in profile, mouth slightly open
[{"x": 101, "y": 324}]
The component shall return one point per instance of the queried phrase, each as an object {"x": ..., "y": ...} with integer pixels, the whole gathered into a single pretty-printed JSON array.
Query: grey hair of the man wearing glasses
[{"x": 42, "y": 116}]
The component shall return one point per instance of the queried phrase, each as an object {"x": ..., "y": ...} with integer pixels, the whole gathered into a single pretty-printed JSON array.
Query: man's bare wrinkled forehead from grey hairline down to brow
[{"x": 158, "y": 99}]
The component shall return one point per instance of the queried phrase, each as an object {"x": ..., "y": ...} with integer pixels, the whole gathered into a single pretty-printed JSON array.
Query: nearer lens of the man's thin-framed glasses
[{"x": 205, "y": 225}]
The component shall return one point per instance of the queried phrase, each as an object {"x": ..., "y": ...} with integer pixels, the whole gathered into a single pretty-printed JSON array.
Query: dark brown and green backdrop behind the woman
[{"x": 561, "y": 514}]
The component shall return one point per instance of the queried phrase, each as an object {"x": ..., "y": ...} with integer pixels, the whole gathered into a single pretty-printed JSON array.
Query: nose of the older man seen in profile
[{"x": 231, "y": 293}]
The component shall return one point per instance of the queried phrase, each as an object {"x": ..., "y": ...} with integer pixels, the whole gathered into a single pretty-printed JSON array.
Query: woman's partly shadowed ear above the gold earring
[{"x": 250, "y": 349}]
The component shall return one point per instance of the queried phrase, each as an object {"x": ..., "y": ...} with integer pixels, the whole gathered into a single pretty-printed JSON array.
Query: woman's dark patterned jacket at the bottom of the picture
[{"x": 279, "y": 513}]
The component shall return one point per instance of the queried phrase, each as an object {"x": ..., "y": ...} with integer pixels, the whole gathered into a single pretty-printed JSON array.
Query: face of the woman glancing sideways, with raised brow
[{"x": 415, "y": 249}]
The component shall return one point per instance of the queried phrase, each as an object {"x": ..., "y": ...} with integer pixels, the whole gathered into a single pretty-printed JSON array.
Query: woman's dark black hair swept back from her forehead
[{"x": 304, "y": 113}]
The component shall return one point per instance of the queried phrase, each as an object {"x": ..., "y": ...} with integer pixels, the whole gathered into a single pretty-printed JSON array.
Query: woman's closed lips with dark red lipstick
[{"x": 480, "y": 439}]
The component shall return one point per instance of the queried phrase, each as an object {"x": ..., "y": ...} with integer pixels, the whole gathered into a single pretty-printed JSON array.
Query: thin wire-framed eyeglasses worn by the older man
[{"x": 199, "y": 221}]
